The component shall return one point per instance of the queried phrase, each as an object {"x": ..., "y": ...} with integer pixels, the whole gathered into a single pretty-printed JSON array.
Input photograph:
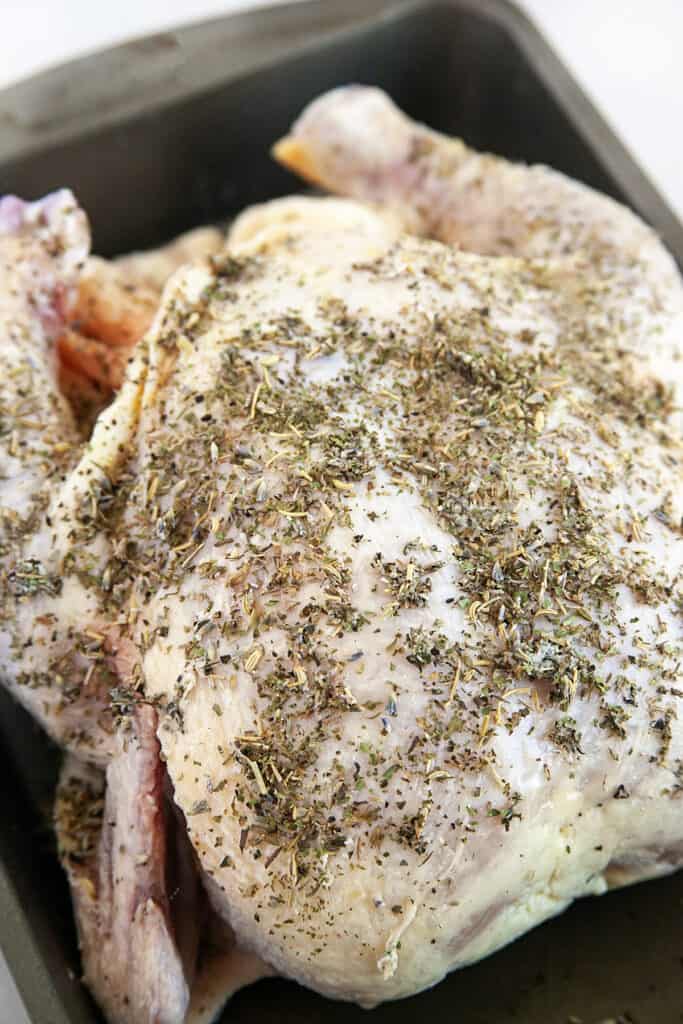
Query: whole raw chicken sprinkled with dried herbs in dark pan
[{"x": 365, "y": 592}]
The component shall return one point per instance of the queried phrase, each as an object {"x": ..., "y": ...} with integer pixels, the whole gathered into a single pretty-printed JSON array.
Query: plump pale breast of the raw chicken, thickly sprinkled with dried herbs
[{"x": 395, "y": 552}]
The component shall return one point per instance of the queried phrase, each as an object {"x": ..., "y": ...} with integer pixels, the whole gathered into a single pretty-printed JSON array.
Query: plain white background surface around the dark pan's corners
[{"x": 627, "y": 55}]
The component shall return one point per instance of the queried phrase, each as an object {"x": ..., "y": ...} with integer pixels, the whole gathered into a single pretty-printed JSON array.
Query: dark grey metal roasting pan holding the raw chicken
[{"x": 173, "y": 132}]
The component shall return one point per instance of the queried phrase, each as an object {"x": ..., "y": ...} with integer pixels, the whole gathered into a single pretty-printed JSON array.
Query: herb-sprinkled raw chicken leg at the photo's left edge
[{"x": 44, "y": 652}]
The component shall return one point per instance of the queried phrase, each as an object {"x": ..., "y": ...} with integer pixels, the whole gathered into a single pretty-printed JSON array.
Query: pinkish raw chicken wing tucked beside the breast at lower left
[{"x": 153, "y": 952}]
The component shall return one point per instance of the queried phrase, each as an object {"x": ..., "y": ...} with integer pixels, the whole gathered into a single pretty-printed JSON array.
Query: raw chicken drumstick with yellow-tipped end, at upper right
[{"x": 355, "y": 142}]
